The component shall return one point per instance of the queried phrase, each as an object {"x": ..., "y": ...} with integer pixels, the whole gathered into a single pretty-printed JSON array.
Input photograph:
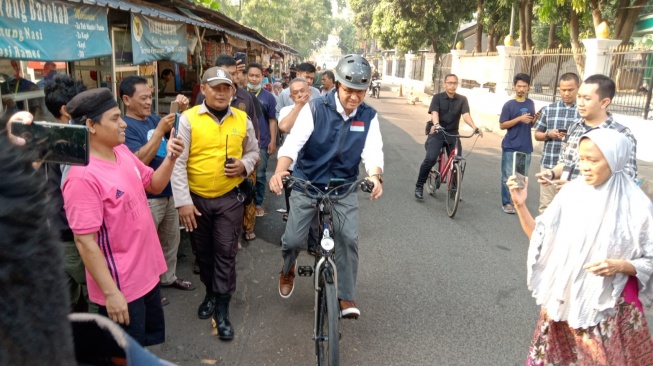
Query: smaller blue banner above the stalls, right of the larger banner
[{"x": 154, "y": 40}]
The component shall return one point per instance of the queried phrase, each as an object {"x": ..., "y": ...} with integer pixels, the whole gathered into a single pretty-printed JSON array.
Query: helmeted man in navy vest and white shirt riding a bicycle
[{"x": 331, "y": 135}]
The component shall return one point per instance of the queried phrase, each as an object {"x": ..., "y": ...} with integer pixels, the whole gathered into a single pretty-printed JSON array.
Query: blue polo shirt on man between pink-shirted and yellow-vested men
[{"x": 138, "y": 133}]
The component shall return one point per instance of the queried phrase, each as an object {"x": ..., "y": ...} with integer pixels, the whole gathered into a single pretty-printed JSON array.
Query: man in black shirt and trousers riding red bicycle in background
[{"x": 445, "y": 110}]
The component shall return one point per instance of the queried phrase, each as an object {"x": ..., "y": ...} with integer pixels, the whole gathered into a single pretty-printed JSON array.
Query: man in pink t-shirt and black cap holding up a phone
[{"x": 108, "y": 212}]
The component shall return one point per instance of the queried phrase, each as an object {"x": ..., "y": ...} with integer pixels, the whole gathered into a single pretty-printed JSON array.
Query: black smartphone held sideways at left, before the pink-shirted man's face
[{"x": 55, "y": 142}]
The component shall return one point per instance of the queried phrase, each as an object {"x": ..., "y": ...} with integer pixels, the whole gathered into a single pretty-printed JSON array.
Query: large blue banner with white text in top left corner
[{"x": 52, "y": 30}]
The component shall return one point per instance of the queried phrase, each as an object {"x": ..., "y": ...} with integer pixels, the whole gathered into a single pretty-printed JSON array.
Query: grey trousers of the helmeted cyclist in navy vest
[{"x": 345, "y": 219}]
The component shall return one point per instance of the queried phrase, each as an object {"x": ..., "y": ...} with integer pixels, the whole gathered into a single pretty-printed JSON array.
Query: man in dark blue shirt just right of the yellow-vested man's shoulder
[{"x": 267, "y": 129}]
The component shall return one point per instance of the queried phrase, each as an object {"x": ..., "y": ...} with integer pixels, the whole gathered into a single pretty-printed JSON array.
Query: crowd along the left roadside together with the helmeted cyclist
[{"x": 204, "y": 170}]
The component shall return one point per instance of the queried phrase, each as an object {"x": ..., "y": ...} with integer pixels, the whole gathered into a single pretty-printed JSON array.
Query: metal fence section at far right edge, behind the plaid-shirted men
[{"x": 631, "y": 68}]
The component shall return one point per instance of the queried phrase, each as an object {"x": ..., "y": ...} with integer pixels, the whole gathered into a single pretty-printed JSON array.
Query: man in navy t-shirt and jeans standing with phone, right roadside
[{"x": 516, "y": 117}]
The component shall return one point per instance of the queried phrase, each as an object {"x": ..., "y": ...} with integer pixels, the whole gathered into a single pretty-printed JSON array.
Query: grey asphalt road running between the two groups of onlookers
[{"x": 432, "y": 290}]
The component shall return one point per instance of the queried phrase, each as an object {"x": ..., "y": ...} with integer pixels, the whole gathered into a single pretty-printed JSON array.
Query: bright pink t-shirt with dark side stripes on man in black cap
[{"x": 108, "y": 198}]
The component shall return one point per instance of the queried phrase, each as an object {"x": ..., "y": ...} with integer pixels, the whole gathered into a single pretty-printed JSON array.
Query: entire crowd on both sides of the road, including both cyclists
[{"x": 113, "y": 230}]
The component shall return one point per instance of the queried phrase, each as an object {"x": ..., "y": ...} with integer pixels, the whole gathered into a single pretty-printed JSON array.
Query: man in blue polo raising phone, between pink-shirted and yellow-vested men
[{"x": 146, "y": 136}]
